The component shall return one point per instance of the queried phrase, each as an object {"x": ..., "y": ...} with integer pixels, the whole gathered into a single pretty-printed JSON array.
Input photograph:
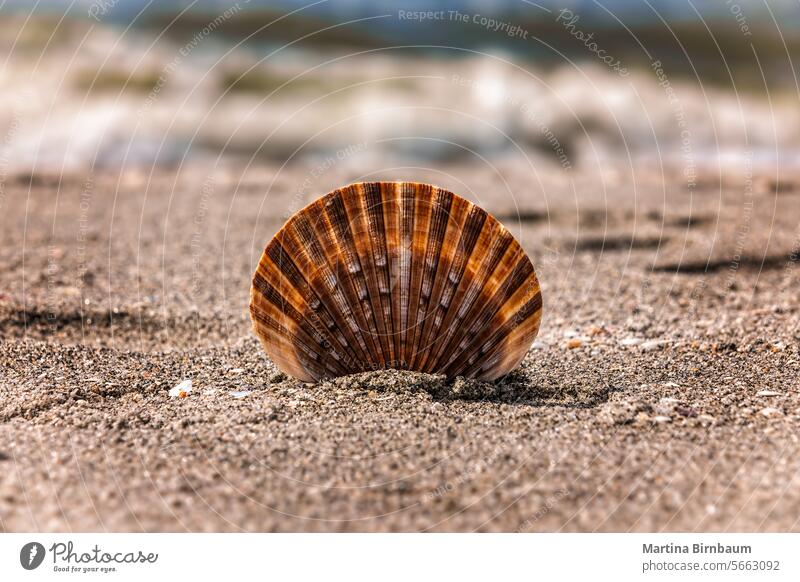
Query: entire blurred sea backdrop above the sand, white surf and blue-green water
[{"x": 569, "y": 84}]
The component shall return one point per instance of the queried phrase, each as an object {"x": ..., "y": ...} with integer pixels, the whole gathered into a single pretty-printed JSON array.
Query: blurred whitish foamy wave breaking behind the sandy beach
[{"x": 99, "y": 97}]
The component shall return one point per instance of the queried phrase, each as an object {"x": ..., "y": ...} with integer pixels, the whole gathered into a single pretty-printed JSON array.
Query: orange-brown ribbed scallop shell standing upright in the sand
[{"x": 395, "y": 275}]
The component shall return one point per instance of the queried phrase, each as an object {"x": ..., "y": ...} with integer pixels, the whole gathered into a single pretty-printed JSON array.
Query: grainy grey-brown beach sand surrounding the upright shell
[{"x": 662, "y": 394}]
